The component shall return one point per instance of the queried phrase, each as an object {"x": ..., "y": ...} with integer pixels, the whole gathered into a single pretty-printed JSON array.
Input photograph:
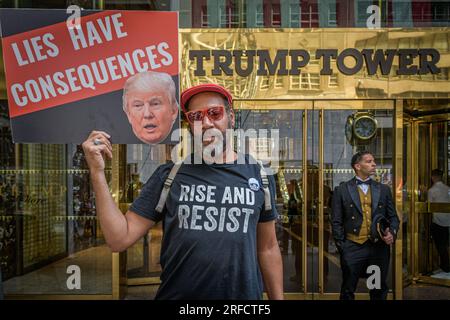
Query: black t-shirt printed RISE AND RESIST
[{"x": 210, "y": 219}]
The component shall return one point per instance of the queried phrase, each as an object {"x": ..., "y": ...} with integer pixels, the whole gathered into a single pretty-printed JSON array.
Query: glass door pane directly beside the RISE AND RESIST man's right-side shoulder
[{"x": 288, "y": 181}]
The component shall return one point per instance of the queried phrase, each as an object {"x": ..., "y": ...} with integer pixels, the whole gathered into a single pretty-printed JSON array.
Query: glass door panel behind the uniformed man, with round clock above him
[{"x": 336, "y": 169}]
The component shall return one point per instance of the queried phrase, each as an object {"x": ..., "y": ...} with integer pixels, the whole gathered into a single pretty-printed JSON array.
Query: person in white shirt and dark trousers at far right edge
[{"x": 440, "y": 225}]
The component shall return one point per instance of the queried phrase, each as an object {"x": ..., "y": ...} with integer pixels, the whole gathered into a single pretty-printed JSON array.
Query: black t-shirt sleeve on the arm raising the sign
[{"x": 146, "y": 202}]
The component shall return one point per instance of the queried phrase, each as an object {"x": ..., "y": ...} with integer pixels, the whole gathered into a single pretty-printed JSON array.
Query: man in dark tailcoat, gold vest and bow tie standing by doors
[{"x": 364, "y": 224}]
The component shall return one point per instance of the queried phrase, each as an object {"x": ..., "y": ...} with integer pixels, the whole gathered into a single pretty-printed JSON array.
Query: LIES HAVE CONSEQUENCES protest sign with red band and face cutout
[{"x": 65, "y": 71}]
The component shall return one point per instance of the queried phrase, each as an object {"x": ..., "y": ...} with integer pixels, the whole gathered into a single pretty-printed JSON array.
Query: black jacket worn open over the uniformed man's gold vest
[{"x": 346, "y": 214}]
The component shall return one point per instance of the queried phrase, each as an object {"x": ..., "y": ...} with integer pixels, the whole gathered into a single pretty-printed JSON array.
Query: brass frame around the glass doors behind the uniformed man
[{"x": 321, "y": 106}]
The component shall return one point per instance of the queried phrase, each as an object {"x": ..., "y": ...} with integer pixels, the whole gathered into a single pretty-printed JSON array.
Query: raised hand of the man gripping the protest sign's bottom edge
[{"x": 96, "y": 146}]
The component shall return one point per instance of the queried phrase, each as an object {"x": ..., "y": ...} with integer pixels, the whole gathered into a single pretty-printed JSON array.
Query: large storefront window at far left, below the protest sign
[{"x": 48, "y": 222}]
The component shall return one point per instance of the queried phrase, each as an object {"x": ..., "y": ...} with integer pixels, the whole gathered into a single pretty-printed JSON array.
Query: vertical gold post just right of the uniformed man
[{"x": 398, "y": 193}]
